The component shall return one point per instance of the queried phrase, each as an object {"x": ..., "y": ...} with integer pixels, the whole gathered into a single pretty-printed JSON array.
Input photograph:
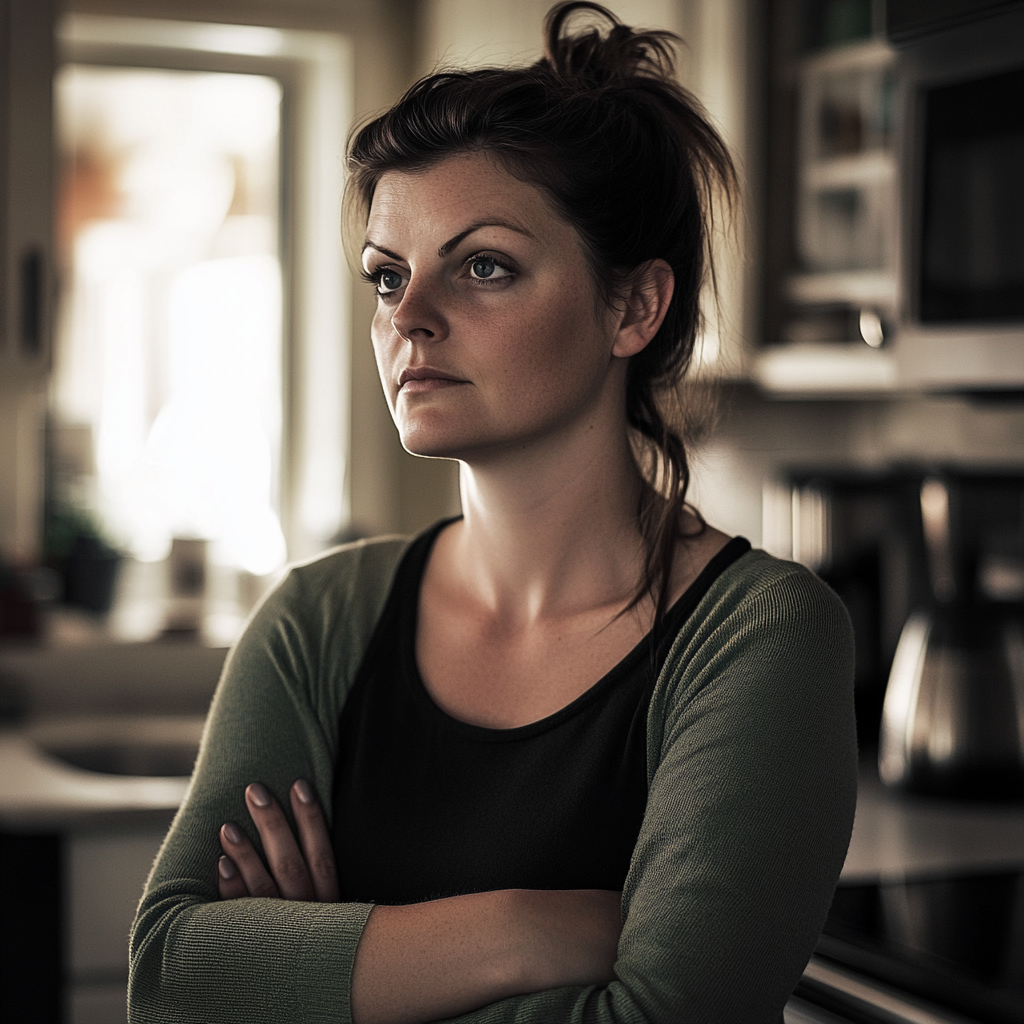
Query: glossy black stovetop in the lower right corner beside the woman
[{"x": 957, "y": 942}]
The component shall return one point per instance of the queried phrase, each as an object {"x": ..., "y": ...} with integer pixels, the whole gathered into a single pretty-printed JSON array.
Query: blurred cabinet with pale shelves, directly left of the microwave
[{"x": 833, "y": 204}]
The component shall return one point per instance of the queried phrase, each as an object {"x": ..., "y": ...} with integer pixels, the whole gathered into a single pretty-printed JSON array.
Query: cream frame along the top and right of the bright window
[{"x": 315, "y": 70}]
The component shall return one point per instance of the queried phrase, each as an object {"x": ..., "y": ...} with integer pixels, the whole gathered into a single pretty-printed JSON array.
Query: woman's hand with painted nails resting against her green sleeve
[{"x": 300, "y": 871}]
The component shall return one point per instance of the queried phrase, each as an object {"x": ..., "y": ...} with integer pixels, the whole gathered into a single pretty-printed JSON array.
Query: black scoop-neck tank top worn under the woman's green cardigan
[{"x": 428, "y": 806}]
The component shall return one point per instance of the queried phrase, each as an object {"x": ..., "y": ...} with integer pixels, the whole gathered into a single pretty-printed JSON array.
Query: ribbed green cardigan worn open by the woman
[{"x": 752, "y": 775}]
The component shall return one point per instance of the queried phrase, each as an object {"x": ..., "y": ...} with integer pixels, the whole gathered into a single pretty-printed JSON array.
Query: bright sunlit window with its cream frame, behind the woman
[{"x": 201, "y": 378}]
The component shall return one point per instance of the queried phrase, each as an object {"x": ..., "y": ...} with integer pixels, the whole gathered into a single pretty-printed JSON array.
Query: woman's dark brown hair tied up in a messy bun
[{"x": 626, "y": 156}]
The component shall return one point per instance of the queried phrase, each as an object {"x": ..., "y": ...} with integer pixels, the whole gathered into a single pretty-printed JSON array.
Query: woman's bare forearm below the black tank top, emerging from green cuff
[{"x": 441, "y": 959}]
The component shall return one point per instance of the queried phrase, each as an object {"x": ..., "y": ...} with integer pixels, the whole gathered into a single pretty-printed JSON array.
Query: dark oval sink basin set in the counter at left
[{"x": 139, "y": 745}]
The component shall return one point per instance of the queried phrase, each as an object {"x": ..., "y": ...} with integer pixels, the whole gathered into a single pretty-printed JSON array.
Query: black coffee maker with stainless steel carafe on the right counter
[{"x": 929, "y": 561}]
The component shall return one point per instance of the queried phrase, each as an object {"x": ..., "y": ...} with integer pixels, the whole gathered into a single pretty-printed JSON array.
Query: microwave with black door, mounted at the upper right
[{"x": 960, "y": 111}]
